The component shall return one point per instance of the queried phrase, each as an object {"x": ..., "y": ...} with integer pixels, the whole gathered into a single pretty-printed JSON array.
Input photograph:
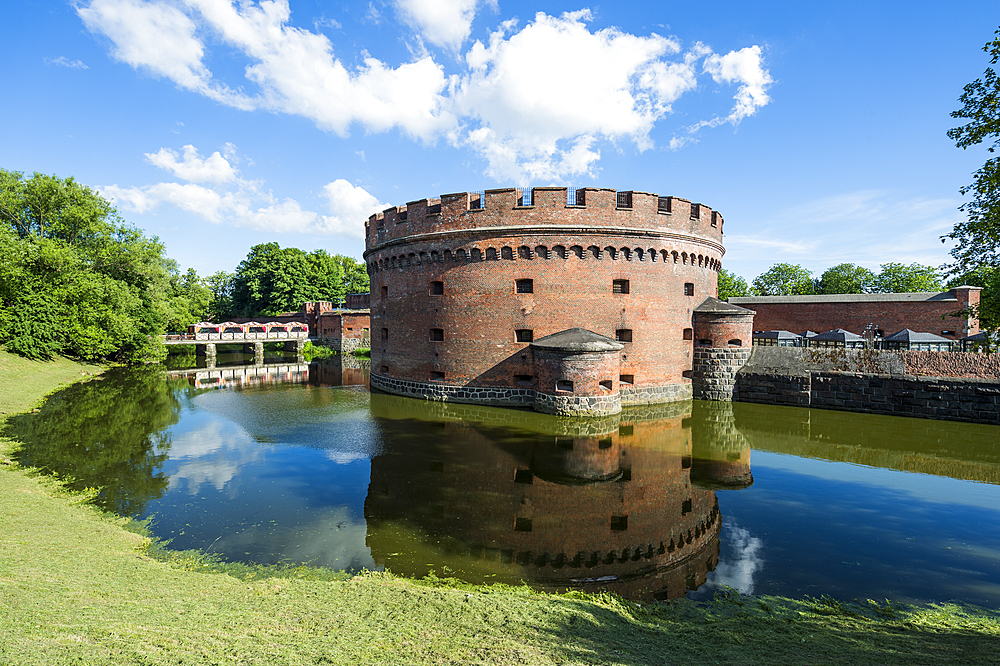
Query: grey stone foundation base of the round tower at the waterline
[{"x": 529, "y": 398}]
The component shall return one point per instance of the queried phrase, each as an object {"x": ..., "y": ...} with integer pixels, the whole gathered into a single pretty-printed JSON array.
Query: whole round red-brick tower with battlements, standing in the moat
[{"x": 462, "y": 286}]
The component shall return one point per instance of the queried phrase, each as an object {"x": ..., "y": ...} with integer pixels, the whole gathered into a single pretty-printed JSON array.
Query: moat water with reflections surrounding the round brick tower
[{"x": 299, "y": 463}]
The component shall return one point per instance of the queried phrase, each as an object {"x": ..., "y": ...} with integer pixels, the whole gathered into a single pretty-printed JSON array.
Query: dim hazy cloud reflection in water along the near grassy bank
[{"x": 332, "y": 540}]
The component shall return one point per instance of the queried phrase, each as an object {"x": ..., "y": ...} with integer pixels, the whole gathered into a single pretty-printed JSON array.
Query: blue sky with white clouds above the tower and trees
[{"x": 816, "y": 129}]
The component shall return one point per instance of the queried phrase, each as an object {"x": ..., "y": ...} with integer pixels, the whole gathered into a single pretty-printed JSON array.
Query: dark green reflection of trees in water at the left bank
[{"x": 105, "y": 434}]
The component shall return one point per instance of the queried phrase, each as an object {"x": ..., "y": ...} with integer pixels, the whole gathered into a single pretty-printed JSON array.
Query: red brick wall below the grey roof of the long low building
[{"x": 890, "y": 317}]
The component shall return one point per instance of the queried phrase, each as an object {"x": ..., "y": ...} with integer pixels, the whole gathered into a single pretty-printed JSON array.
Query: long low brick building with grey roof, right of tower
[{"x": 933, "y": 312}]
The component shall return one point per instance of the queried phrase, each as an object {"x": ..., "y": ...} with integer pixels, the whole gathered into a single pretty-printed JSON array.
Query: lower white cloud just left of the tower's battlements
[{"x": 215, "y": 191}]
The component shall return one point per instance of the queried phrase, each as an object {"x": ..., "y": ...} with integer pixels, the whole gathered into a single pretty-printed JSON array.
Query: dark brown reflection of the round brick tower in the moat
[{"x": 603, "y": 503}]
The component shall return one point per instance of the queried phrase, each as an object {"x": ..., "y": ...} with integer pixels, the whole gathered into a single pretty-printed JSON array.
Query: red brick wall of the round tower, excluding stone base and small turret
[{"x": 480, "y": 310}]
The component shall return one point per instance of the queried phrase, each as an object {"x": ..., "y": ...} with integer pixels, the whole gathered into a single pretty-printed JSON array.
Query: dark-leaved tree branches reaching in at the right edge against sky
[{"x": 978, "y": 237}]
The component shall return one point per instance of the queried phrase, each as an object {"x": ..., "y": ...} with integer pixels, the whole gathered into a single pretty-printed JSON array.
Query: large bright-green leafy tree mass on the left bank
[{"x": 75, "y": 279}]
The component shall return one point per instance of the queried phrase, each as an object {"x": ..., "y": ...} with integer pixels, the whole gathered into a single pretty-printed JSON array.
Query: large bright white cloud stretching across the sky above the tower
[{"x": 535, "y": 102}]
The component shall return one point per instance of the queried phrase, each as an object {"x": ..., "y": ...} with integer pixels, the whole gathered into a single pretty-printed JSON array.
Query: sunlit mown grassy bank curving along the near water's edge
[{"x": 77, "y": 588}]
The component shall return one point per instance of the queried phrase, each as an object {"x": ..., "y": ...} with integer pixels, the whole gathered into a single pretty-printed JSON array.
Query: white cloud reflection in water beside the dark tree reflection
[{"x": 211, "y": 454}]
